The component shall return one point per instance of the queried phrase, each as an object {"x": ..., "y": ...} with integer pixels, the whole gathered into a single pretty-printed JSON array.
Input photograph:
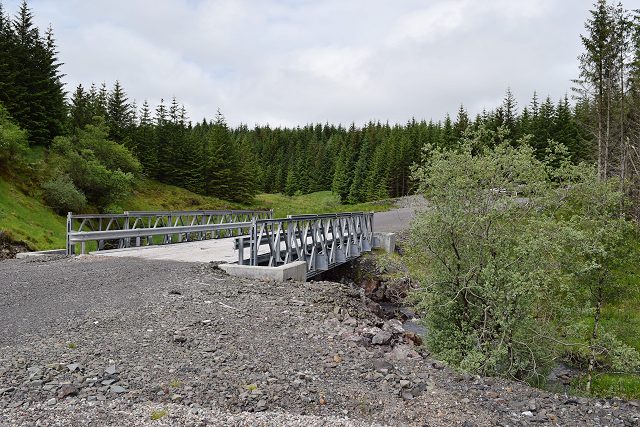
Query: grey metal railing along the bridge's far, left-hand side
[{"x": 142, "y": 228}]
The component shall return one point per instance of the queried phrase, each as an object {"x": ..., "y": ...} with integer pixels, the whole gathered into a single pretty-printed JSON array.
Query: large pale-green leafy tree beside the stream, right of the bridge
[{"x": 481, "y": 260}]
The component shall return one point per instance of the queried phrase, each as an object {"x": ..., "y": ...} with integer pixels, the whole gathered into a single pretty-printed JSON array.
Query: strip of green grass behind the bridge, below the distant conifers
[{"x": 314, "y": 203}]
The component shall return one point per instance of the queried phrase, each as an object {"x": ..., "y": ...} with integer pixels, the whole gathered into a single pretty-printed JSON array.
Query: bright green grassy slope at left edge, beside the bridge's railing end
[{"x": 27, "y": 220}]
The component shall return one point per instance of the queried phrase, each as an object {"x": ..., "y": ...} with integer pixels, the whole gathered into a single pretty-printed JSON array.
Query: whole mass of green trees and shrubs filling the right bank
[{"x": 517, "y": 259}]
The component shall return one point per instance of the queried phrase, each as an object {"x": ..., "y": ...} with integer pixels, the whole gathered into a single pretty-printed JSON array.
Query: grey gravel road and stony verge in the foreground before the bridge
[{"x": 102, "y": 341}]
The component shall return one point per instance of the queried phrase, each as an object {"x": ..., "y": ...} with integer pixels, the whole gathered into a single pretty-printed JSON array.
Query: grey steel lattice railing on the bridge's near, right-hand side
[{"x": 322, "y": 241}]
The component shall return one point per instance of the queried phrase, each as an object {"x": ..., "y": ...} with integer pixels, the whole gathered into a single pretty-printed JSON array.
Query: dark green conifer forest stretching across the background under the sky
[{"x": 359, "y": 163}]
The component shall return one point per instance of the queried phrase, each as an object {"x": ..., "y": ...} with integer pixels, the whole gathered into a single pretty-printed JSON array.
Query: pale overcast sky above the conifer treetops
[{"x": 290, "y": 62}]
